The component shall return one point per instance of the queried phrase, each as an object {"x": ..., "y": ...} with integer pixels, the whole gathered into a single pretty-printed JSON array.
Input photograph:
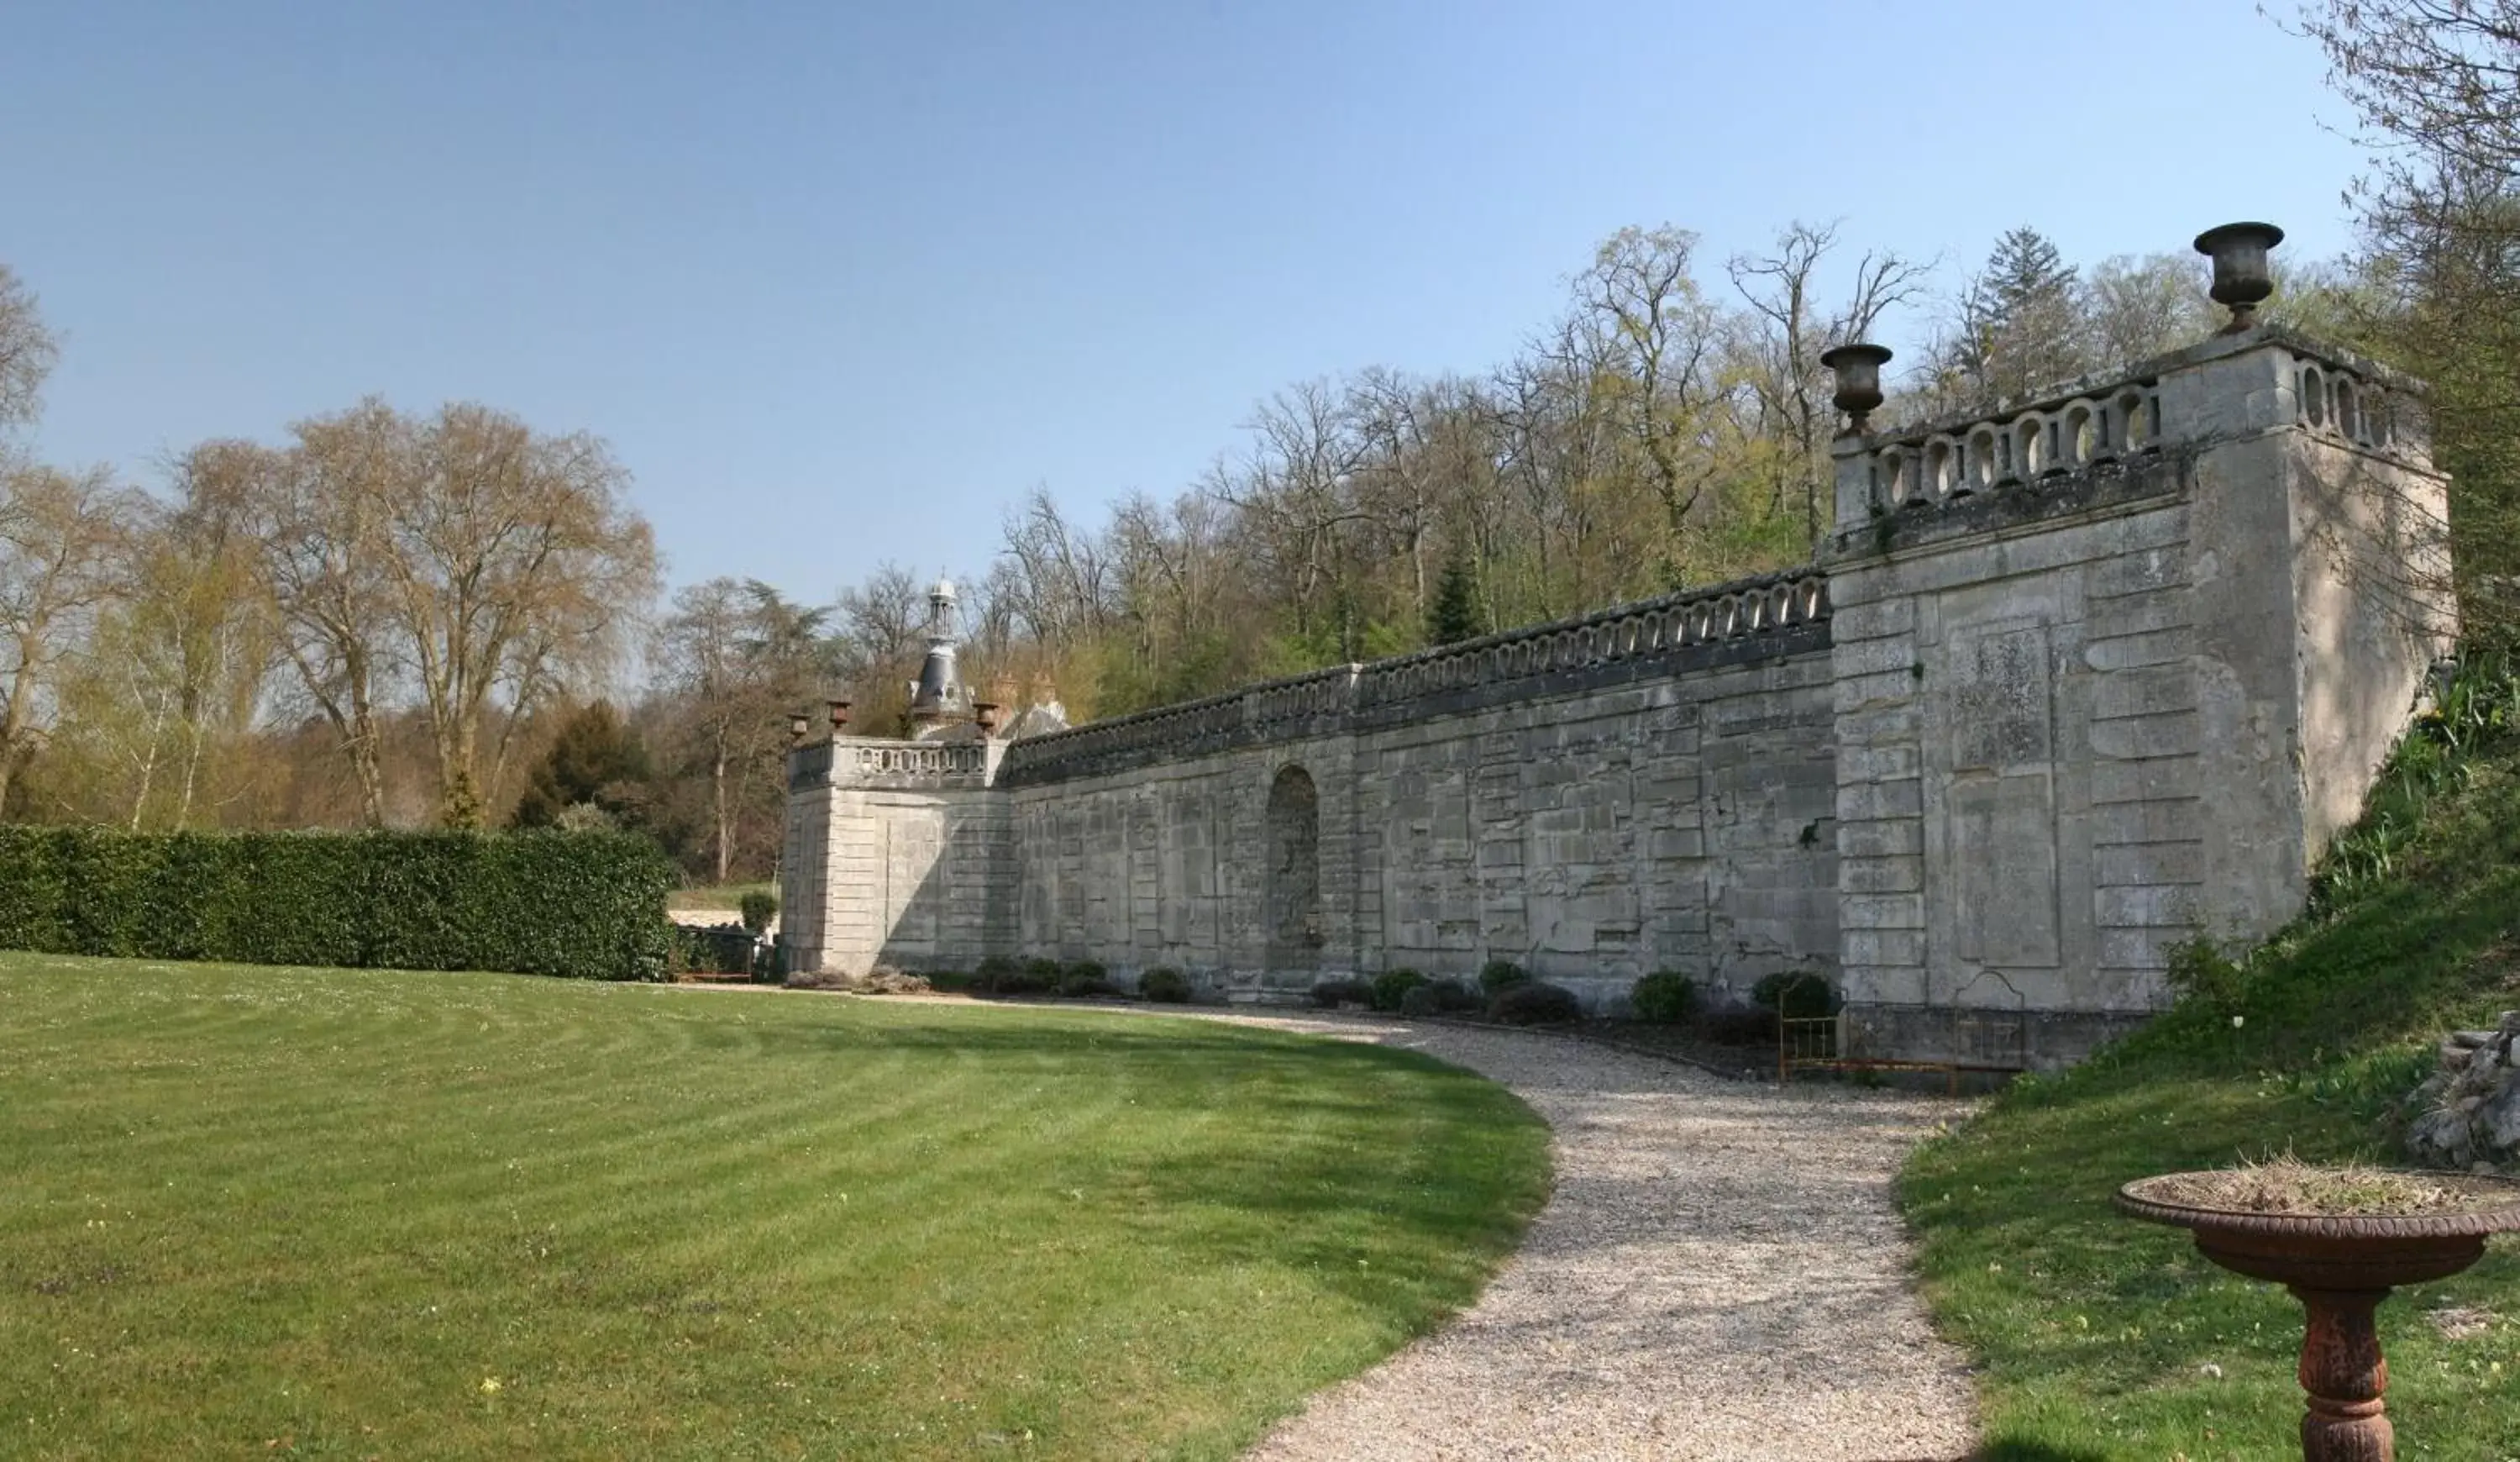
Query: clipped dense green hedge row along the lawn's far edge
[{"x": 541, "y": 904}]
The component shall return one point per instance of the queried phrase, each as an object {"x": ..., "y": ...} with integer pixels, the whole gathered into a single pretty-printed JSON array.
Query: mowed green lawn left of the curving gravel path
[{"x": 367, "y": 1214}]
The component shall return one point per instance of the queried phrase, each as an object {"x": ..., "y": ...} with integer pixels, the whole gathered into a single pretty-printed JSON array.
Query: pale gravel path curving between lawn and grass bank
[{"x": 1720, "y": 1274}]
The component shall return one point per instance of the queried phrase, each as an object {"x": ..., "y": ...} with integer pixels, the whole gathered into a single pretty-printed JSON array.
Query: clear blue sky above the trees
[{"x": 843, "y": 281}]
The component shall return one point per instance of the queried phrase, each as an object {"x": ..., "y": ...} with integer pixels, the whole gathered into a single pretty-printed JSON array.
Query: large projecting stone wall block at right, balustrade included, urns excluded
[{"x": 2110, "y": 674}]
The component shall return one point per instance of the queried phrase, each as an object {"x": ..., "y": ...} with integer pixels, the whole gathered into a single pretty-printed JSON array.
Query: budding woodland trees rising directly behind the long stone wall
[{"x": 1669, "y": 427}]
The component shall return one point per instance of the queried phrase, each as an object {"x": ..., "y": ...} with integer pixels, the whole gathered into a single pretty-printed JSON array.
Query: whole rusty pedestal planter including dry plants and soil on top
[{"x": 2340, "y": 1241}]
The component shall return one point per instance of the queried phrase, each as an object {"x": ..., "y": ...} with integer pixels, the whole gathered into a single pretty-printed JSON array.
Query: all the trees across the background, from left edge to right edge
[{"x": 407, "y": 619}]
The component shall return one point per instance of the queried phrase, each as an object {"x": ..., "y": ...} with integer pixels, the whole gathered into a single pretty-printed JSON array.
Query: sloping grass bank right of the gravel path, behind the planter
[{"x": 2100, "y": 1337}]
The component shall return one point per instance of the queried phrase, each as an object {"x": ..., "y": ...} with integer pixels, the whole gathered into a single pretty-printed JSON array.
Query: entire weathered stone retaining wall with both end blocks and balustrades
[{"x": 2070, "y": 684}]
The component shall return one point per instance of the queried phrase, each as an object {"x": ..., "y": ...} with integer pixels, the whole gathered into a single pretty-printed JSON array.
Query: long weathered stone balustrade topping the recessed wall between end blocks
[{"x": 1327, "y": 697}]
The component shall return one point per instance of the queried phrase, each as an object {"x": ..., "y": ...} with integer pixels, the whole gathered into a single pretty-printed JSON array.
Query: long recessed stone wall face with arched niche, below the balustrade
[{"x": 1667, "y": 810}]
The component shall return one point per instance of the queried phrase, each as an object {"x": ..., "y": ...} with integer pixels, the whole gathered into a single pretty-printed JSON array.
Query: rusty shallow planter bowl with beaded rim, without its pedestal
[{"x": 2337, "y": 1252}]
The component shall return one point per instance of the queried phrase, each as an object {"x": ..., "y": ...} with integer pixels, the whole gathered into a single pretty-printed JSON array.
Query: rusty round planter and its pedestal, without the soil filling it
[{"x": 2340, "y": 1269}]
